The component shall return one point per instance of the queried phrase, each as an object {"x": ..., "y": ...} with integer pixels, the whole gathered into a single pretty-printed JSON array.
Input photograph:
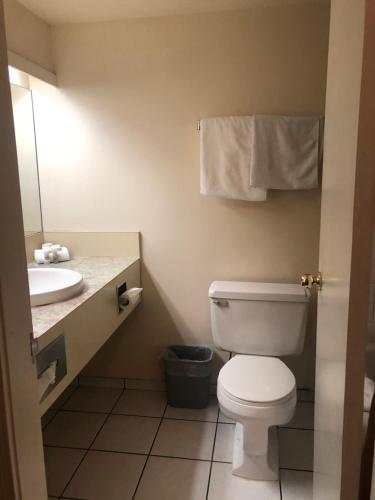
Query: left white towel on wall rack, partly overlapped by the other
[{"x": 225, "y": 148}]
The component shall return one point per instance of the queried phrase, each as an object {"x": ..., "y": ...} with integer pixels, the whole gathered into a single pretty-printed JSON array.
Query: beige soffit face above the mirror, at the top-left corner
[{"x": 27, "y": 35}]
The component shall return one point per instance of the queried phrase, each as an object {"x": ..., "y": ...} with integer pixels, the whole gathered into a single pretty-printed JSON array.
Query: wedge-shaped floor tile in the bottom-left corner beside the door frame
[{"x": 60, "y": 466}]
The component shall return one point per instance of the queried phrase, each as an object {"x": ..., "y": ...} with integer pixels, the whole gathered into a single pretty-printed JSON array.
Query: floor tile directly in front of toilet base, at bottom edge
[{"x": 225, "y": 486}]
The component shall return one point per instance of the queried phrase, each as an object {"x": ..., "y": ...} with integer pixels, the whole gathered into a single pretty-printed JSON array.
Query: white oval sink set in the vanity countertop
[{"x": 53, "y": 285}]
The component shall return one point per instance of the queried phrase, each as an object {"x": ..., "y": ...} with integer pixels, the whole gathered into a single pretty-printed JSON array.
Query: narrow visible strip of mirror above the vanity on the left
[{"x": 23, "y": 116}]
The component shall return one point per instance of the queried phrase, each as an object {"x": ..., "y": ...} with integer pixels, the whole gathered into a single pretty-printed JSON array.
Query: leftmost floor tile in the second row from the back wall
[{"x": 73, "y": 429}]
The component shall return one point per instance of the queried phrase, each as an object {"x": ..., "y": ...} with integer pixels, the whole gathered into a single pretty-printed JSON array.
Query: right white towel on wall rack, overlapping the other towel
[{"x": 285, "y": 152}]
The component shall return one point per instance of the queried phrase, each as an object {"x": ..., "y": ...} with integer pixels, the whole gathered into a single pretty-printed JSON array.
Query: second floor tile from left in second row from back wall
[{"x": 127, "y": 434}]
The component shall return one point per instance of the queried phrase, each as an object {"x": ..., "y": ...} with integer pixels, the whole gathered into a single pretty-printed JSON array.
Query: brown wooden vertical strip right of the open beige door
[{"x": 363, "y": 228}]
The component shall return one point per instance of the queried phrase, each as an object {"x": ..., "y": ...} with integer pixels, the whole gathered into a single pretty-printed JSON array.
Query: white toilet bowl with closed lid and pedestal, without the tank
[{"x": 258, "y": 393}]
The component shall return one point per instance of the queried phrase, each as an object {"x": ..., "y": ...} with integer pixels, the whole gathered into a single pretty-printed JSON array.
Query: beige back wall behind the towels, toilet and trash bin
[{"x": 119, "y": 151}]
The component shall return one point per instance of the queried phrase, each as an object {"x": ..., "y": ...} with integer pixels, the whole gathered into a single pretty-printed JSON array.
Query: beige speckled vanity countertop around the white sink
[{"x": 96, "y": 272}]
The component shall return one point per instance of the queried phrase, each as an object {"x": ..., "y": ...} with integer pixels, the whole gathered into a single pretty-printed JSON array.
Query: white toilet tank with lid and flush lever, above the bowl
[{"x": 259, "y": 318}]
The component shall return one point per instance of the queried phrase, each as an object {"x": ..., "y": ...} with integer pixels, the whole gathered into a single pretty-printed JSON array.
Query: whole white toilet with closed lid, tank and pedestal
[{"x": 257, "y": 322}]
